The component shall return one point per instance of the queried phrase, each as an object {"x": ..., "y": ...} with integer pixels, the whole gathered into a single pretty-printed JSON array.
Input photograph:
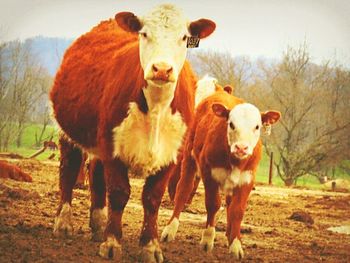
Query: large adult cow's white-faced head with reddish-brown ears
[{"x": 162, "y": 39}]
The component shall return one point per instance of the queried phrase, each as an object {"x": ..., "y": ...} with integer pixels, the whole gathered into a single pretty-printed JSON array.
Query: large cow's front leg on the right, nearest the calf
[{"x": 152, "y": 194}]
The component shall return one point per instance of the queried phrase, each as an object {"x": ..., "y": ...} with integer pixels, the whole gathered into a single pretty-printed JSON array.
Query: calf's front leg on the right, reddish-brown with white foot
[{"x": 236, "y": 206}]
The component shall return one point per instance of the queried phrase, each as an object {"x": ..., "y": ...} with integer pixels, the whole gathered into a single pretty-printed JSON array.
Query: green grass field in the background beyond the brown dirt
[{"x": 28, "y": 148}]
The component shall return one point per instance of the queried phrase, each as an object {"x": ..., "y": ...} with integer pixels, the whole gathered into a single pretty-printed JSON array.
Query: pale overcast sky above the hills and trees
[{"x": 253, "y": 28}]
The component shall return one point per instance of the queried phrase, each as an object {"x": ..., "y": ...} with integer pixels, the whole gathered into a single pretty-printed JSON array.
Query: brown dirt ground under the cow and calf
[{"x": 27, "y": 215}]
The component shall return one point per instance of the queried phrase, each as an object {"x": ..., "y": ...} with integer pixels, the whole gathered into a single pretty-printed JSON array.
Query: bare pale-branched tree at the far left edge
[{"x": 23, "y": 83}]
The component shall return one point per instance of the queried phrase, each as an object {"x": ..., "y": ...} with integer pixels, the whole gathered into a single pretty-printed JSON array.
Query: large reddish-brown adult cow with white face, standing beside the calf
[{"x": 125, "y": 94}]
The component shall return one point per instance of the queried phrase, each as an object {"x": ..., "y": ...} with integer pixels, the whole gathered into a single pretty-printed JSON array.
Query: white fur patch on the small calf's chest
[{"x": 231, "y": 179}]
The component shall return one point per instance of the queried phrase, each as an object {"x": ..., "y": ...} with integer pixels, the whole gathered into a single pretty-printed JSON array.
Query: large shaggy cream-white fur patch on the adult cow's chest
[{"x": 144, "y": 147}]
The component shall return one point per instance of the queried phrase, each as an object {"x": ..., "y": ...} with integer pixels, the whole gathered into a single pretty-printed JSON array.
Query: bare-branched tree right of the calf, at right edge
[{"x": 313, "y": 134}]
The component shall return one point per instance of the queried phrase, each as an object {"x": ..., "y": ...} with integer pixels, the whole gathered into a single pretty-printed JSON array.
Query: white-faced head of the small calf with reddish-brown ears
[{"x": 244, "y": 123}]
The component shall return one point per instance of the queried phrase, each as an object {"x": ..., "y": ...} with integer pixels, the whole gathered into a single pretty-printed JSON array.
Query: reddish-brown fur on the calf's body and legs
[{"x": 206, "y": 144}]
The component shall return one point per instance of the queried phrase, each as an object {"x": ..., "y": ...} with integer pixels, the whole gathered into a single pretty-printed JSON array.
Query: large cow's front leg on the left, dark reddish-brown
[{"x": 118, "y": 192}]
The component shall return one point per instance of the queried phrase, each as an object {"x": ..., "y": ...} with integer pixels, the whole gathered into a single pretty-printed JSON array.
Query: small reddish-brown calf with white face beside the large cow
[{"x": 224, "y": 145}]
